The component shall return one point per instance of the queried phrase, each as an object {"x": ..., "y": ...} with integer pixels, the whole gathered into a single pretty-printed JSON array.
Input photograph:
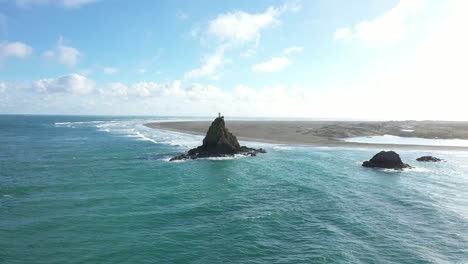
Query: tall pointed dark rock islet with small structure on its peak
[{"x": 218, "y": 142}]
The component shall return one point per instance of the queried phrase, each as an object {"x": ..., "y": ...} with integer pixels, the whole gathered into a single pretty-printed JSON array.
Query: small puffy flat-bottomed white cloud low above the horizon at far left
[{"x": 71, "y": 83}]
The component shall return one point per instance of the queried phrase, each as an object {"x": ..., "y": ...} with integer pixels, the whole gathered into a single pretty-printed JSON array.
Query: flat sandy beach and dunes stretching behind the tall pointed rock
[{"x": 325, "y": 133}]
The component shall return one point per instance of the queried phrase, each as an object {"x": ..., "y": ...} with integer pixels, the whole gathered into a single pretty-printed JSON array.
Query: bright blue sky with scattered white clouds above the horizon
[{"x": 337, "y": 59}]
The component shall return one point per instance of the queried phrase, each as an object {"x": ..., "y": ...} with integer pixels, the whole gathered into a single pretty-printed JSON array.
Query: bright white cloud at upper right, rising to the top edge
[{"x": 392, "y": 26}]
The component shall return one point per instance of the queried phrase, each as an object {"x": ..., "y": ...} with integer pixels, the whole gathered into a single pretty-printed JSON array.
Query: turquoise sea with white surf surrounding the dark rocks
[{"x": 100, "y": 190}]
